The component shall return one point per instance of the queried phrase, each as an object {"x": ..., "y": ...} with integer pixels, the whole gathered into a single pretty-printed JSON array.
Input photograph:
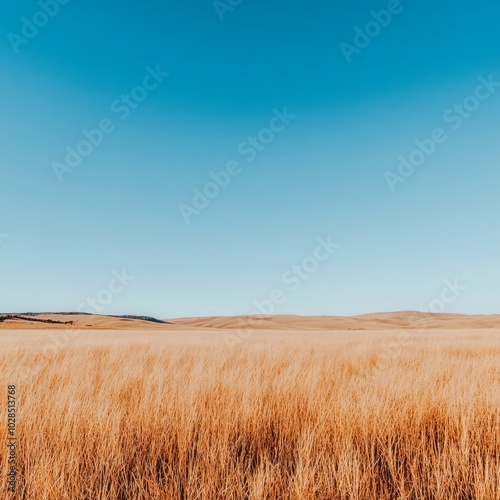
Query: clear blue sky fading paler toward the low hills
[{"x": 324, "y": 174}]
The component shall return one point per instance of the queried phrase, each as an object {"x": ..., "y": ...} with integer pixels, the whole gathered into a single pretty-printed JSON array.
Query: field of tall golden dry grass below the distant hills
[{"x": 281, "y": 415}]
